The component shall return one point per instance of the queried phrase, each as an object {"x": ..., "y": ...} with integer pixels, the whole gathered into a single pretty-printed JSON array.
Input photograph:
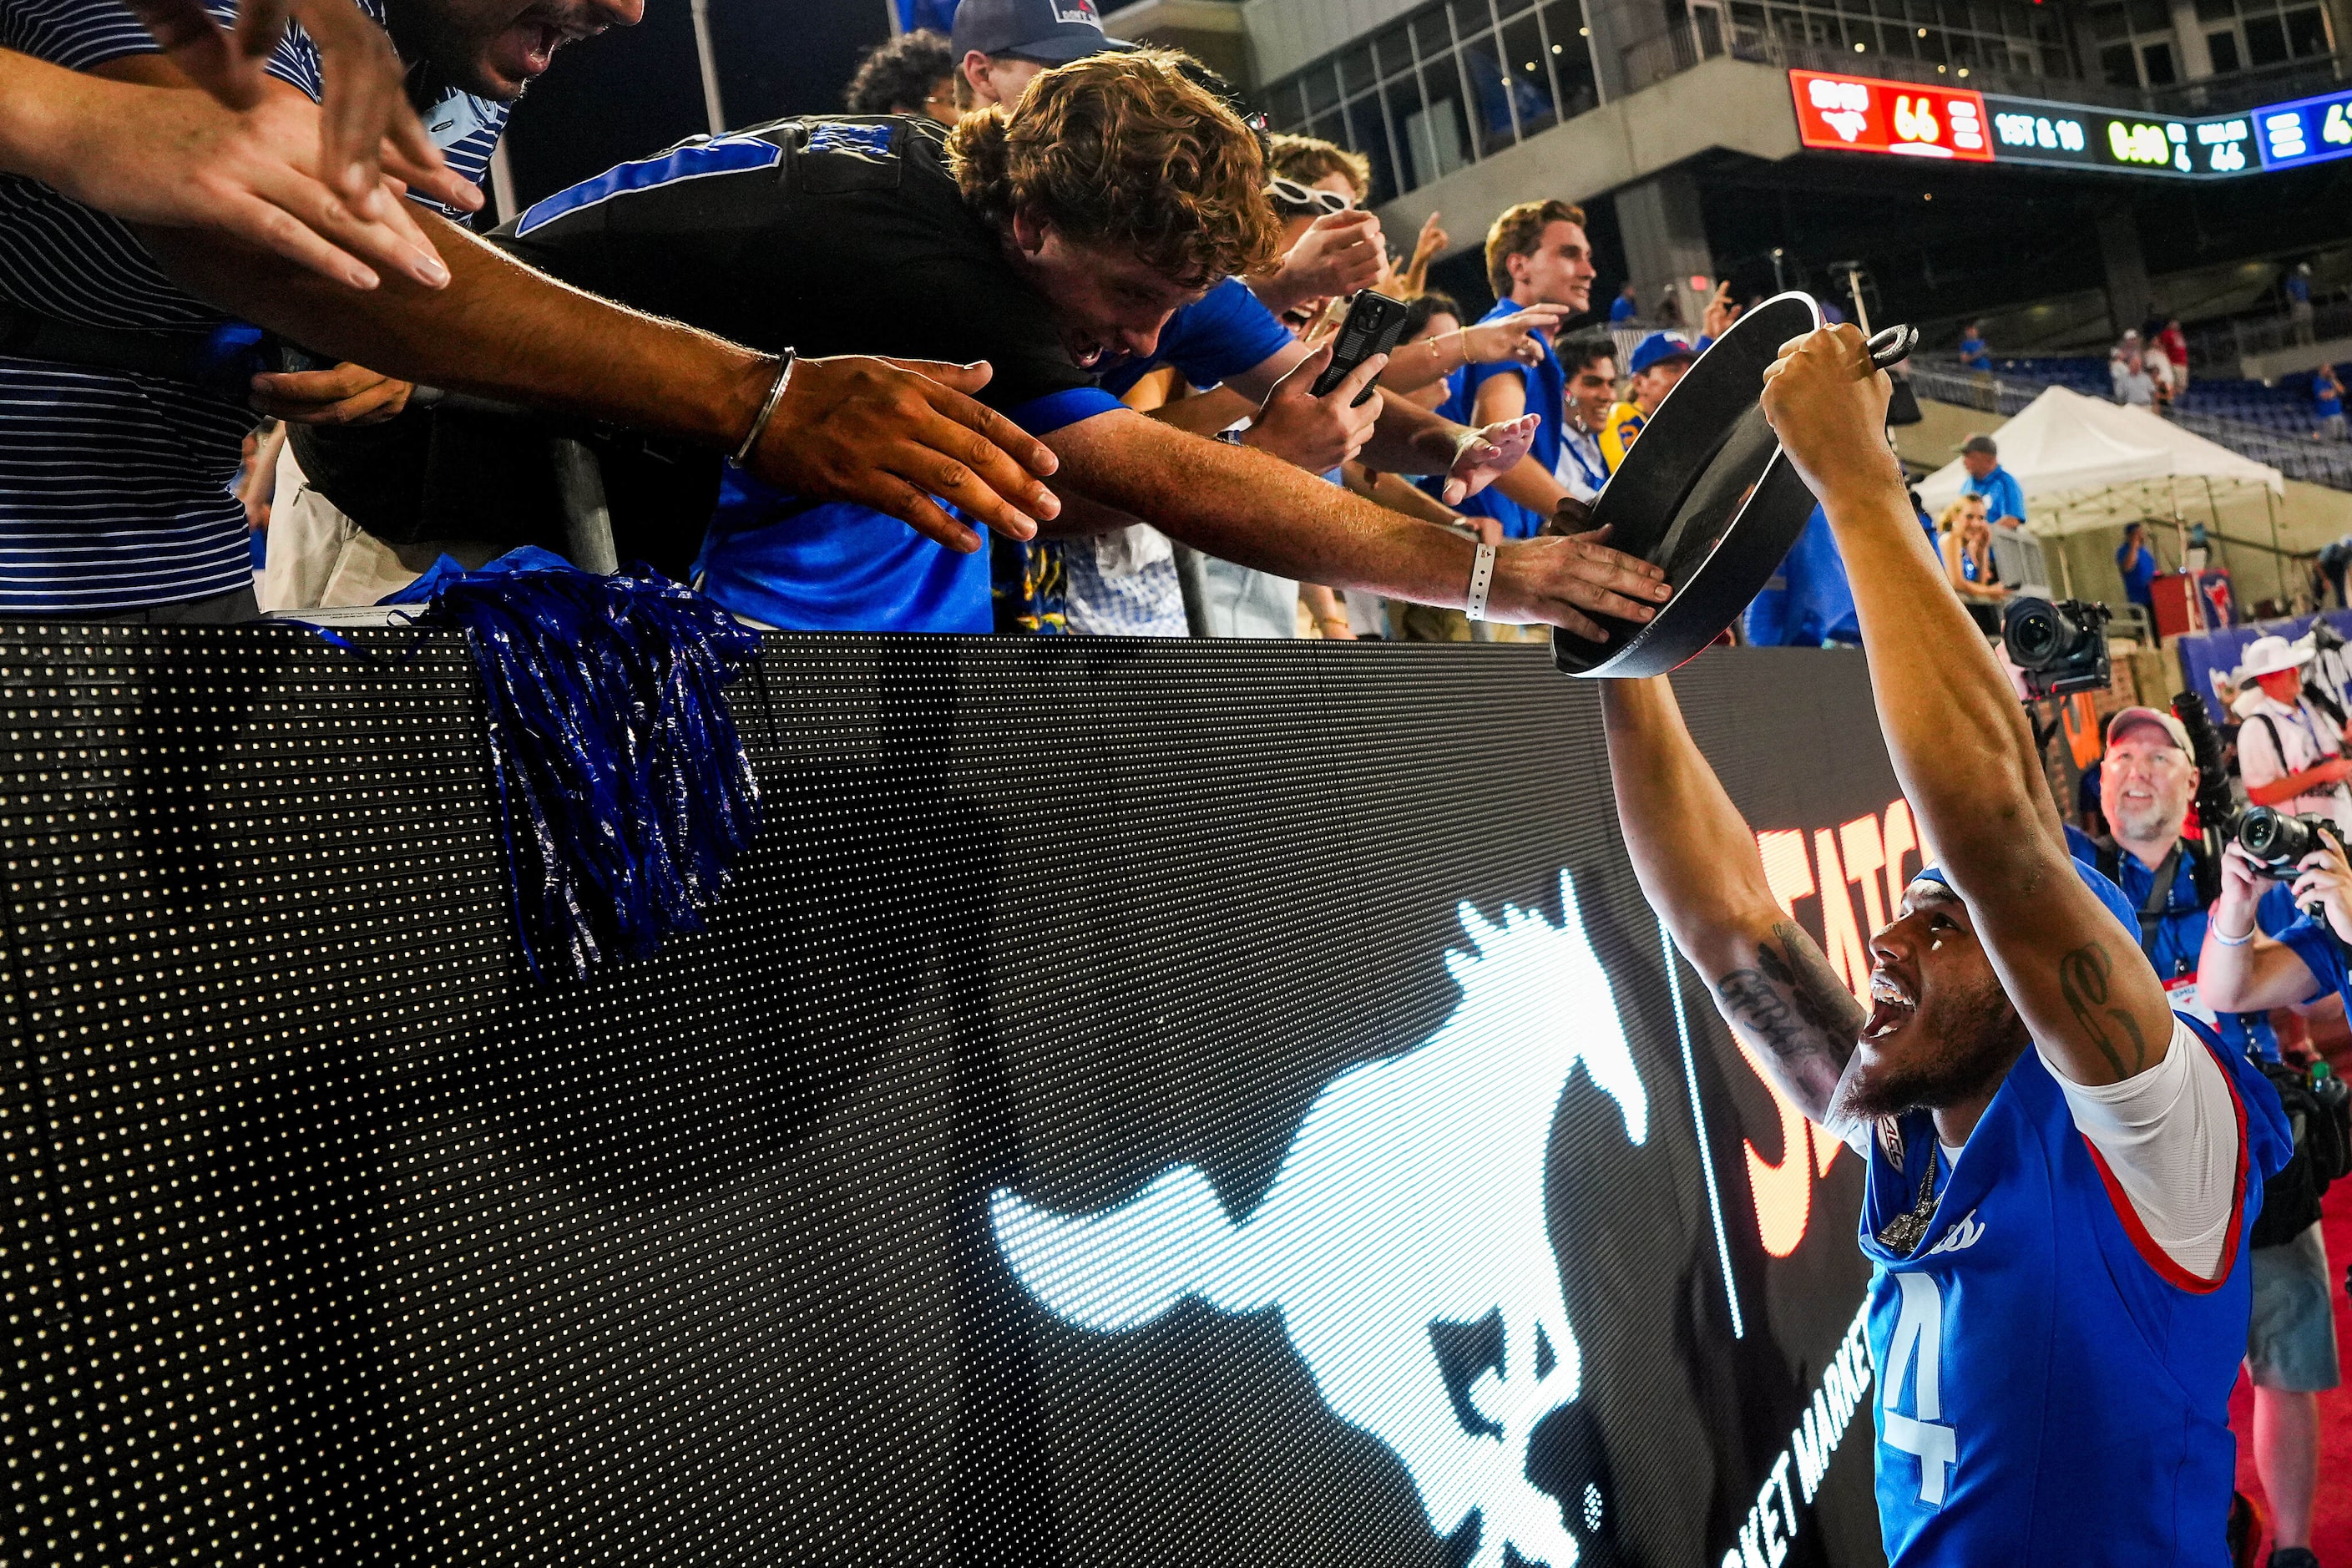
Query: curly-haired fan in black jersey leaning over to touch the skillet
[{"x": 1050, "y": 241}]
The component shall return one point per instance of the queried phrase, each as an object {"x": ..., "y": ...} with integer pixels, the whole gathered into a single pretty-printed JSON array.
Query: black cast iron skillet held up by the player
[{"x": 1709, "y": 495}]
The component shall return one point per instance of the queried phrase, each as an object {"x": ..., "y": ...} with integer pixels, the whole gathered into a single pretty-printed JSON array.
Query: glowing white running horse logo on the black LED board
[{"x": 1405, "y": 1217}]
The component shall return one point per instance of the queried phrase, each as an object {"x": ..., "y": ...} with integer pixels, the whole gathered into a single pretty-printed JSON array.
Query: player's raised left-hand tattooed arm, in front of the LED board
[{"x": 1699, "y": 869}]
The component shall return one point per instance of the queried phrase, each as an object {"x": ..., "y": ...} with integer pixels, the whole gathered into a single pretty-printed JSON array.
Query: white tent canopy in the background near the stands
[{"x": 2066, "y": 448}]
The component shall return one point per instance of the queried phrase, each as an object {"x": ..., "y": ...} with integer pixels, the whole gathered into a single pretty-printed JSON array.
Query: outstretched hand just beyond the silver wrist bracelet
[{"x": 902, "y": 436}]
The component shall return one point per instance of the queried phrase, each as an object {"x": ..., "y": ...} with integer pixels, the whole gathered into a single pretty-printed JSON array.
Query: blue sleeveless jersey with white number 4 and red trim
[{"x": 2050, "y": 1386}]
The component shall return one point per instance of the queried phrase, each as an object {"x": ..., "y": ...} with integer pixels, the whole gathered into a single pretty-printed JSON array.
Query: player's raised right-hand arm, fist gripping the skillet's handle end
[{"x": 1958, "y": 735}]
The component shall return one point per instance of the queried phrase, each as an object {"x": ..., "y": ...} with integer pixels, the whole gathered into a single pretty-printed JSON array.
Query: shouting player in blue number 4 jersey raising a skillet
[{"x": 2062, "y": 1170}]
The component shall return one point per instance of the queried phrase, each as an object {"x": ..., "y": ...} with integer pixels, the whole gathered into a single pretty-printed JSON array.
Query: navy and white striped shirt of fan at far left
[{"x": 114, "y": 488}]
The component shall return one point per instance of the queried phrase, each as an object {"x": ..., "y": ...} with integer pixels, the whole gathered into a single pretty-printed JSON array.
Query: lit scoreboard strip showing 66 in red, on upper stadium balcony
[{"x": 1855, "y": 114}]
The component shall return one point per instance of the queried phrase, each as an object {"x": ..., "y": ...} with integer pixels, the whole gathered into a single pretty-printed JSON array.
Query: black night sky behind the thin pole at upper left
[{"x": 636, "y": 91}]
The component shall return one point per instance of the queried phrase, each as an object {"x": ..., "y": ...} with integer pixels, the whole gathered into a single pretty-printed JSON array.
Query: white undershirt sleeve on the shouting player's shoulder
[{"x": 2170, "y": 1137}]
